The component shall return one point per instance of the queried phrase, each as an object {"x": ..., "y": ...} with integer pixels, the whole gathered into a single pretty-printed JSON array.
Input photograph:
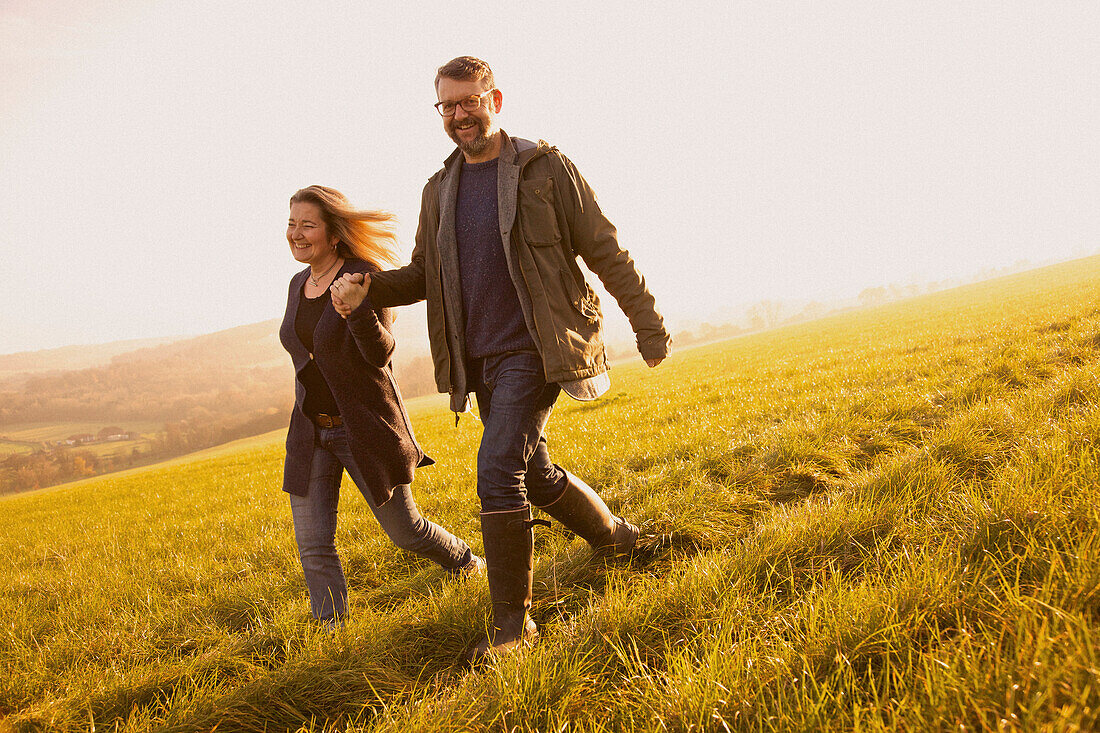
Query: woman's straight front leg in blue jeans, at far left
[{"x": 315, "y": 529}]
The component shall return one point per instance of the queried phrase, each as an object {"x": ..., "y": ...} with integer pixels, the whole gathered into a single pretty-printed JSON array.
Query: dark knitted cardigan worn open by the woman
[{"x": 354, "y": 358}]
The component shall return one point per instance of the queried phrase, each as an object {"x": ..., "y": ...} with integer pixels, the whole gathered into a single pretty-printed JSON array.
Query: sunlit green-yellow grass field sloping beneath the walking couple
[{"x": 881, "y": 521}]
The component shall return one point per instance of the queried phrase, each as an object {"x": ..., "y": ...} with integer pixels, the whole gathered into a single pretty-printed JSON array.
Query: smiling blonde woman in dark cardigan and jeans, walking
[{"x": 348, "y": 412}]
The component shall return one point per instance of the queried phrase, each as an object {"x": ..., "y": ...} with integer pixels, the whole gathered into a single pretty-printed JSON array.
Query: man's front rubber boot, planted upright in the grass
[{"x": 510, "y": 546}]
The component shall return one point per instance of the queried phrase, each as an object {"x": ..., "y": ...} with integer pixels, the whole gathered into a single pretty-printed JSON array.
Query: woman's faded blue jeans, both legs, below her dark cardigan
[{"x": 315, "y": 527}]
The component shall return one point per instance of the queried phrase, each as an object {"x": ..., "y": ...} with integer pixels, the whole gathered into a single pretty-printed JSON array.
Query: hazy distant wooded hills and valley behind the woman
[{"x": 172, "y": 399}]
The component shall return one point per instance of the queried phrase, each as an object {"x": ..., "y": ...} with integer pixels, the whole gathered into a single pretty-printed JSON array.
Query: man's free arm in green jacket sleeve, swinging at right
[{"x": 596, "y": 240}]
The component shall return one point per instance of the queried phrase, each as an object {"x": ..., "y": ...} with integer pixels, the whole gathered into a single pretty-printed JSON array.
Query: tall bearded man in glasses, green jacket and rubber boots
[{"x": 512, "y": 319}]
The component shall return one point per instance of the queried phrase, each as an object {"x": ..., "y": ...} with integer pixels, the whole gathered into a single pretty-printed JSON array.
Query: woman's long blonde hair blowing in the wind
[{"x": 364, "y": 234}]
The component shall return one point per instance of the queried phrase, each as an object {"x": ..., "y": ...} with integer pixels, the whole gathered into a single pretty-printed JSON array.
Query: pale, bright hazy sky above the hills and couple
[{"x": 746, "y": 151}]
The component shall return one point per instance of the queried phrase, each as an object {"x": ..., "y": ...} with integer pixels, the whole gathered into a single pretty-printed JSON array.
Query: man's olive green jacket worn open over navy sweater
[{"x": 548, "y": 217}]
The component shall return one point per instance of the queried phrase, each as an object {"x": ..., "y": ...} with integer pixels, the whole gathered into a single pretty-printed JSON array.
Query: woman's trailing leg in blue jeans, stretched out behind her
[{"x": 401, "y": 519}]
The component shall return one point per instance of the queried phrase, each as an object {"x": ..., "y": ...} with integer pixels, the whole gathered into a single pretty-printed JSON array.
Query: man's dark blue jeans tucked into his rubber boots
[{"x": 515, "y": 402}]
